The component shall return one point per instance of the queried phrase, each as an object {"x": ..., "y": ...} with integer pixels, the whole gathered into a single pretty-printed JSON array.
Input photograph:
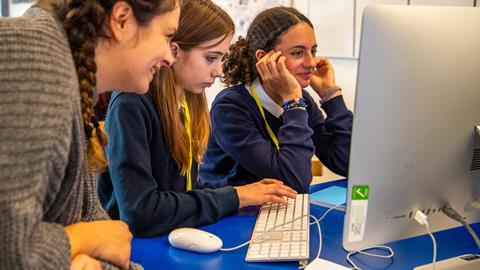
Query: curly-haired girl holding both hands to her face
[{"x": 265, "y": 125}]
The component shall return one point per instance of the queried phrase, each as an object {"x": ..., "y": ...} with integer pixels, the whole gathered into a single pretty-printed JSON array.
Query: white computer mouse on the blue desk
[{"x": 194, "y": 240}]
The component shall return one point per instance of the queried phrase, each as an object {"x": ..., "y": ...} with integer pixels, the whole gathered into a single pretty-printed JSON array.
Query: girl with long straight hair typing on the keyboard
[{"x": 157, "y": 140}]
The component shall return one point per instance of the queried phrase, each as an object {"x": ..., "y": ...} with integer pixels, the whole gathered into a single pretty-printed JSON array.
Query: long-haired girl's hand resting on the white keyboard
[{"x": 265, "y": 191}]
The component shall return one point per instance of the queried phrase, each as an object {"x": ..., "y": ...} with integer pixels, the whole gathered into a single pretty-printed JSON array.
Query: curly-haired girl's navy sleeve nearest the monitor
[{"x": 332, "y": 136}]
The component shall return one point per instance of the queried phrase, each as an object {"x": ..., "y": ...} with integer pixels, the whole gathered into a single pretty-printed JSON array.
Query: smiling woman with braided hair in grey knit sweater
[{"x": 55, "y": 60}]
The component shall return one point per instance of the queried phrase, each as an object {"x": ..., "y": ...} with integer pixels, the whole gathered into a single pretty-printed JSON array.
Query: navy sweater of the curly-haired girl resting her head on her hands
[{"x": 240, "y": 150}]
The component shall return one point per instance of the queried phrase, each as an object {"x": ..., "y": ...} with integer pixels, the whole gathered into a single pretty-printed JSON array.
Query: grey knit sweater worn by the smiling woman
[{"x": 43, "y": 182}]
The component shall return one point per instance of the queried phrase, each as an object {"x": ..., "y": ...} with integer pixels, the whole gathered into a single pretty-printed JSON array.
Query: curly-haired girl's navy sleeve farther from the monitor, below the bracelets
[{"x": 238, "y": 133}]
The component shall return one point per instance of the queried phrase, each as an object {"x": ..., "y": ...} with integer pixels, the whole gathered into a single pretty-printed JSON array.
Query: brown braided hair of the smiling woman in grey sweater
[{"x": 83, "y": 21}]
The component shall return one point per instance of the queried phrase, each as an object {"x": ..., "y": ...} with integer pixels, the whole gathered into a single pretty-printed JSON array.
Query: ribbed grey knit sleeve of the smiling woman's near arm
[{"x": 35, "y": 131}]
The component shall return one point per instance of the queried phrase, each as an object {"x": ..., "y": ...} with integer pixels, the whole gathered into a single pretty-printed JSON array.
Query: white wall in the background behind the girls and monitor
[{"x": 337, "y": 29}]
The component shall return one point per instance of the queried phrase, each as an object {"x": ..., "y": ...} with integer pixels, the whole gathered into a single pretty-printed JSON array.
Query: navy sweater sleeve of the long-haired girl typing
[{"x": 142, "y": 204}]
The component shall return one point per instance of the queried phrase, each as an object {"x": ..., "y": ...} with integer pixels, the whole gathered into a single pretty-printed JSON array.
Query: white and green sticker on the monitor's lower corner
[{"x": 358, "y": 213}]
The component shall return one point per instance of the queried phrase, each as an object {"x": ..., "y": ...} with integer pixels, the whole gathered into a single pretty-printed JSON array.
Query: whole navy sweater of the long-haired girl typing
[{"x": 143, "y": 185}]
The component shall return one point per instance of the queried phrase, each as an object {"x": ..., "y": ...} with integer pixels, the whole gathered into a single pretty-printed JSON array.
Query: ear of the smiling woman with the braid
[{"x": 122, "y": 23}]
